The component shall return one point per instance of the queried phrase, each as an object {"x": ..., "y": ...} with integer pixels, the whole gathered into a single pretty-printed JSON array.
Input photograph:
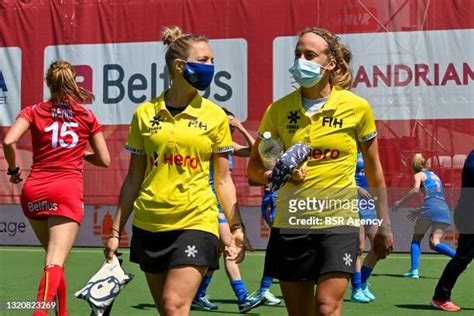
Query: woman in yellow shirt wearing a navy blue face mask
[{"x": 172, "y": 140}]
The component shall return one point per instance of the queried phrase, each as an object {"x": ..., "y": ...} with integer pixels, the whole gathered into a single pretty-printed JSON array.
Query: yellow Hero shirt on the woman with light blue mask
[{"x": 327, "y": 197}]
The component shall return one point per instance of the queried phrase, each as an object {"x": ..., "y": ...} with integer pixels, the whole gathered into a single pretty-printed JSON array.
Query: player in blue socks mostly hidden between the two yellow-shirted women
[{"x": 245, "y": 300}]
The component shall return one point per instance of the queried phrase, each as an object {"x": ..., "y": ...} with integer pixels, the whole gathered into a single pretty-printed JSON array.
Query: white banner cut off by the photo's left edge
[{"x": 10, "y": 84}]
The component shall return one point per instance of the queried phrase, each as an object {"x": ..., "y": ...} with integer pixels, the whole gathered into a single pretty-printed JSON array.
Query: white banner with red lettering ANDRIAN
[{"x": 404, "y": 75}]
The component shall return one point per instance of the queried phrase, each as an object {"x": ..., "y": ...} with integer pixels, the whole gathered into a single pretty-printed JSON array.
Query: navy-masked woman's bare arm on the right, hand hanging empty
[{"x": 226, "y": 194}]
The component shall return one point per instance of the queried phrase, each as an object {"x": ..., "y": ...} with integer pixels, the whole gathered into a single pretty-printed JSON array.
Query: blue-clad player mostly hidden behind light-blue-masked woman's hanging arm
[{"x": 367, "y": 213}]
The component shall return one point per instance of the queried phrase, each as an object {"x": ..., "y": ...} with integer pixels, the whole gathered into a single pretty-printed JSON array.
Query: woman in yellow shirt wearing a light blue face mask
[{"x": 314, "y": 236}]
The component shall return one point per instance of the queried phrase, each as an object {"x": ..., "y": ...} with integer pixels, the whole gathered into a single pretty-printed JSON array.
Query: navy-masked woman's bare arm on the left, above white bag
[{"x": 128, "y": 194}]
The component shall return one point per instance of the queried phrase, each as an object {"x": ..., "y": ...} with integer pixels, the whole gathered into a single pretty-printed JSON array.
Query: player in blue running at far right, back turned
[{"x": 434, "y": 214}]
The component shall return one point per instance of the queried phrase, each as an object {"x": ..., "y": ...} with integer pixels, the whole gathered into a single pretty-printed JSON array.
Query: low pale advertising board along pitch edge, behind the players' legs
[{"x": 16, "y": 230}]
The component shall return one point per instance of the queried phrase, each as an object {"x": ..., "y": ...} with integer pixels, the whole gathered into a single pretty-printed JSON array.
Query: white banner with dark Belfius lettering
[{"x": 124, "y": 75}]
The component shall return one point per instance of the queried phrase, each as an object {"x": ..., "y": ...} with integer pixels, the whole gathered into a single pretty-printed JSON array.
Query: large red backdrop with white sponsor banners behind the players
[{"x": 412, "y": 60}]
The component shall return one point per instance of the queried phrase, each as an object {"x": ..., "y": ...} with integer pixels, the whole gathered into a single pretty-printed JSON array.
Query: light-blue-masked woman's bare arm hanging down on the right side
[{"x": 374, "y": 173}]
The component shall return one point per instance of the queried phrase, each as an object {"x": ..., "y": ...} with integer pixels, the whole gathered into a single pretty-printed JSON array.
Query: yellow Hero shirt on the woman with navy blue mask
[{"x": 175, "y": 193}]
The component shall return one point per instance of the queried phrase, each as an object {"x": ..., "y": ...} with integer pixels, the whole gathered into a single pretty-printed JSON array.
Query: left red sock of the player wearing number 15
[{"x": 48, "y": 286}]
